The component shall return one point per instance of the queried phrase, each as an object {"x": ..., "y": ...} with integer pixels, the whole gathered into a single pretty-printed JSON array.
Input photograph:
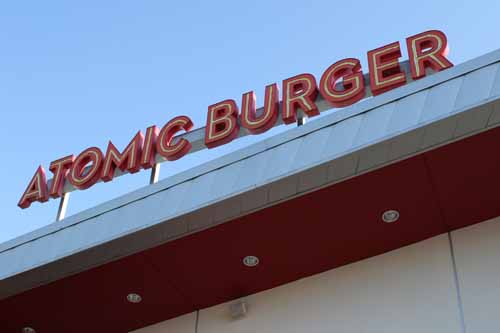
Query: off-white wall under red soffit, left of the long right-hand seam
[{"x": 409, "y": 290}]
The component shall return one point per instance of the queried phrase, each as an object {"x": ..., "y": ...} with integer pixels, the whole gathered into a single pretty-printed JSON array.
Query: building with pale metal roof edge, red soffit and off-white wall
[{"x": 378, "y": 217}]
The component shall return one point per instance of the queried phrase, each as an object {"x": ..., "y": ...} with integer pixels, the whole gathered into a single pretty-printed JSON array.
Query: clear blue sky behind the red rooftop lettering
[{"x": 74, "y": 74}]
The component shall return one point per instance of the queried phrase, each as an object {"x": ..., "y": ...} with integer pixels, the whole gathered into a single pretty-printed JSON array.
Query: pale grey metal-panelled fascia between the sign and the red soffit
[{"x": 346, "y": 142}]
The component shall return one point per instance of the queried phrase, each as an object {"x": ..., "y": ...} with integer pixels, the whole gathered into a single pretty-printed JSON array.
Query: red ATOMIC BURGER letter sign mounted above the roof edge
[{"x": 224, "y": 119}]
